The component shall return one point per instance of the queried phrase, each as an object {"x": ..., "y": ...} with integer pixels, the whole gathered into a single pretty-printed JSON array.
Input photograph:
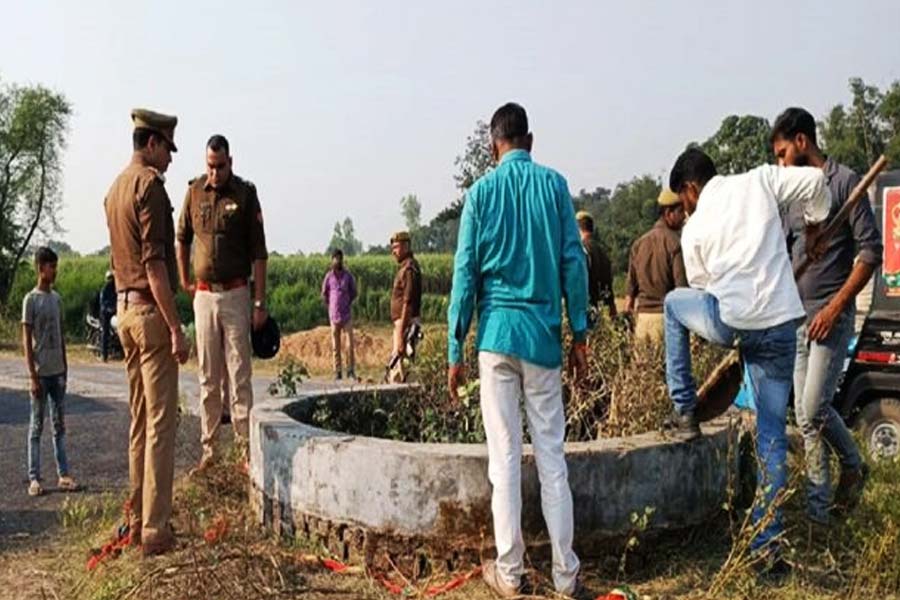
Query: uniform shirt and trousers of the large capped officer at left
[{"x": 139, "y": 217}]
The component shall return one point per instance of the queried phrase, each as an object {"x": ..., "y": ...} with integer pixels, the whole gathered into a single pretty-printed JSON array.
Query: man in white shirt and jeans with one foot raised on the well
[{"x": 742, "y": 294}]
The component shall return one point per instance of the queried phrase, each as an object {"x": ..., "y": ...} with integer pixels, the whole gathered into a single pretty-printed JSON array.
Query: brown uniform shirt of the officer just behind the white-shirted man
[{"x": 655, "y": 267}]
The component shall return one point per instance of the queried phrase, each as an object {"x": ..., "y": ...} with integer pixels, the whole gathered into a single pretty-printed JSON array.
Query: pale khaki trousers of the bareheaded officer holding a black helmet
[{"x": 222, "y": 322}]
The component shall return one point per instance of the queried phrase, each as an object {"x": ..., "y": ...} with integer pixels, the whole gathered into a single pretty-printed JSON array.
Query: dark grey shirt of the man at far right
[{"x": 858, "y": 236}]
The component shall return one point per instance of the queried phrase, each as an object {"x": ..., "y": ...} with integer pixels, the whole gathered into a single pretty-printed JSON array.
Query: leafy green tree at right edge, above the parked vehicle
[{"x": 857, "y": 135}]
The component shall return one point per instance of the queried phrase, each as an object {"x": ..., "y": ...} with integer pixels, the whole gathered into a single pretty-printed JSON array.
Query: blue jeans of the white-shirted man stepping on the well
[{"x": 768, "y": 356}]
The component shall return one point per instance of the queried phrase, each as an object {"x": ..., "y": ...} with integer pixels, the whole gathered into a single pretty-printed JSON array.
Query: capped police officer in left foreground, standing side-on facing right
[{"x": 142, "y": 253}]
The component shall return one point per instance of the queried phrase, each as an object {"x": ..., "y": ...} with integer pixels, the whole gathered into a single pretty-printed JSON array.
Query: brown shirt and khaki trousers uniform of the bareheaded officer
[{"x": 225, "y": 227}]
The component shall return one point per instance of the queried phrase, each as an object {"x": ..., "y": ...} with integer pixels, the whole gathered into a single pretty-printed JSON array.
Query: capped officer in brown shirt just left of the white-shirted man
[{"x": 655, "y": 268}]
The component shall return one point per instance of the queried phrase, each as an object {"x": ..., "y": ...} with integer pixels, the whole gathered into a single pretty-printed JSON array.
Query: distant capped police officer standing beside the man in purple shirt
[{"x": 406, "y": 298}]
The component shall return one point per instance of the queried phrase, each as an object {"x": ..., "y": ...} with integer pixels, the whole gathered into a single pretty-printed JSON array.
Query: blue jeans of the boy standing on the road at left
[{"x": 53, "y": 392}]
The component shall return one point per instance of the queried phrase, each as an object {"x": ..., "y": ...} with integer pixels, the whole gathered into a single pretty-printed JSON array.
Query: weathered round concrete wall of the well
[{"x": 309, "y": 479}]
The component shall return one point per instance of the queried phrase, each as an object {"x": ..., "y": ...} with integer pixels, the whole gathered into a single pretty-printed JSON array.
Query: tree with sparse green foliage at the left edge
[{"x": 33, "y": 126}]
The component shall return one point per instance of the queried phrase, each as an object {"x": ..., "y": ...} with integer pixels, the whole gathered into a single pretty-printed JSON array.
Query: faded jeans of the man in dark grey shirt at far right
[{"x": 816, "y": 374}]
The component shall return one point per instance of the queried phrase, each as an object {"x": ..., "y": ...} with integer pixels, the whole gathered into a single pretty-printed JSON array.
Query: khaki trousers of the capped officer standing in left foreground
[{"x": 153, "y": 402}]
